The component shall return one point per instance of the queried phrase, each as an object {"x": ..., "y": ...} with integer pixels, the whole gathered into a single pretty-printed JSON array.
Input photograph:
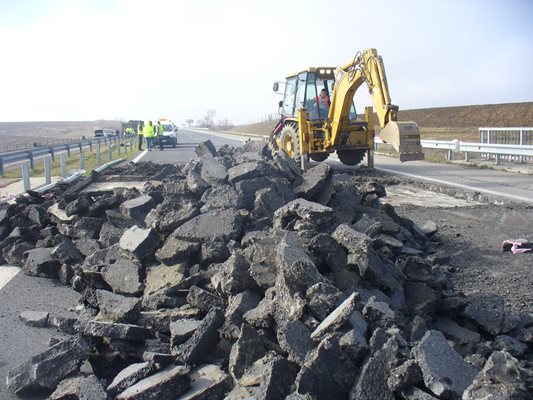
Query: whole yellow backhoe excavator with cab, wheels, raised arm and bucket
[{"x": 318, "y": 115}]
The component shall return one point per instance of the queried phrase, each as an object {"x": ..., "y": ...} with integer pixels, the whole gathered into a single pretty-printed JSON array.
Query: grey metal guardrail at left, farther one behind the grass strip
[{"x": 32, "y": 154}]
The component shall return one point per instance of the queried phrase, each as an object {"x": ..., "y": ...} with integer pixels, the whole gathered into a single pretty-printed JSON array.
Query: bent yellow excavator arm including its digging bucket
[{"x": 367, "y": 67}]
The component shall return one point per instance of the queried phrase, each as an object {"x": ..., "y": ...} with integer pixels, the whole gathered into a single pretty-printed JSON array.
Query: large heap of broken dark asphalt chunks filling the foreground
[{"x": 238, "y": 276}]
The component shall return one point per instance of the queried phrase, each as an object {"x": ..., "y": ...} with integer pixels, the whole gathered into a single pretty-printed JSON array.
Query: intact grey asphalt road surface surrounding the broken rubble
[{"x": 19, "y": 292}]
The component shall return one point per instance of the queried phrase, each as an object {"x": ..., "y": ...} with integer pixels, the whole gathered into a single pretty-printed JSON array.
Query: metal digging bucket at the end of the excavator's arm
[{"x": 405, "y": 138}]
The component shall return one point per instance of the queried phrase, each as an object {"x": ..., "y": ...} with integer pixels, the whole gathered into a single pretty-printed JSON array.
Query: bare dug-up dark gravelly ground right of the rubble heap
[{"x": 472, "y": 236}]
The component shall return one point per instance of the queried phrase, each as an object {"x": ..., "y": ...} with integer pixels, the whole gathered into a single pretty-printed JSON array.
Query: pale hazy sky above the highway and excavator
[{"x": 139, "y": 59}]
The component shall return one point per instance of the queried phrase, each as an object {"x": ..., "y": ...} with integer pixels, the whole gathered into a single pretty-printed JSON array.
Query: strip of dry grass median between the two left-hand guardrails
[{"x": 72, "y": 163}]
